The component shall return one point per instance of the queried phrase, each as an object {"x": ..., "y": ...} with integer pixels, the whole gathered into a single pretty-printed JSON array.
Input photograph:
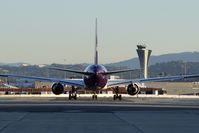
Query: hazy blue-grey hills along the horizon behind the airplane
[{"x": 169, "y": 64}]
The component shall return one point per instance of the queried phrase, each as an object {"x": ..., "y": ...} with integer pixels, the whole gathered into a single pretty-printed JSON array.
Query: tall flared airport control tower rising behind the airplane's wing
[{"x": 144, "y": 55}]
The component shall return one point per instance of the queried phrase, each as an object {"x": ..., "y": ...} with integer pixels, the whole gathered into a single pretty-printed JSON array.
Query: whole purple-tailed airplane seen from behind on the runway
[{"x": 95, "y": 77}]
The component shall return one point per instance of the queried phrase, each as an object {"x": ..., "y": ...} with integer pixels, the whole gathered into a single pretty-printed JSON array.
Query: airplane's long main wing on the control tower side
[{"x": 112, "y": 83}]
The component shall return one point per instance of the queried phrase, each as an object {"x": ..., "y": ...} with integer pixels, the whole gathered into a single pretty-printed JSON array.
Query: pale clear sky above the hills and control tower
[{"x": 63, "y": 31}]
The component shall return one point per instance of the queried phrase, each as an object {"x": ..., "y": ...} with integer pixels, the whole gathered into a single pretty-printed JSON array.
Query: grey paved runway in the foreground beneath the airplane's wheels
[{"x": 22, "y": 115}]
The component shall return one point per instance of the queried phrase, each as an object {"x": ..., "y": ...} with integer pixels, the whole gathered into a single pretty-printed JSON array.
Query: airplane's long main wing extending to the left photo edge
[{"x": 72, "y": 82}]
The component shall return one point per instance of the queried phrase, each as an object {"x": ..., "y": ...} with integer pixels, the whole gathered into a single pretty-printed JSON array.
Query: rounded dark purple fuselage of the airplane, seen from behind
[{"x": 98, "y": 79}]
